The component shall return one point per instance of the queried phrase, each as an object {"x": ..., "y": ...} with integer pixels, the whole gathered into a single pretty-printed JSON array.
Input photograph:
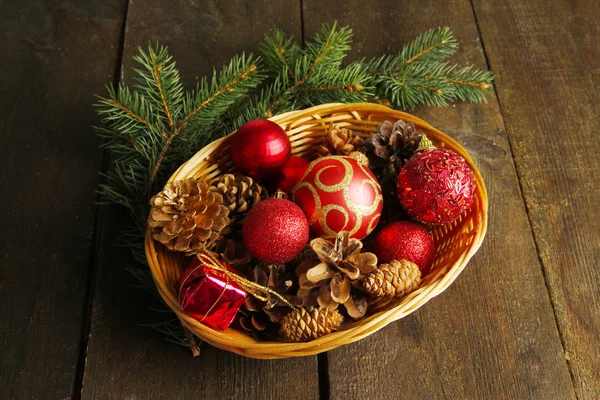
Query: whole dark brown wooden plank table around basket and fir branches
[{"x": 521, "y": 322}]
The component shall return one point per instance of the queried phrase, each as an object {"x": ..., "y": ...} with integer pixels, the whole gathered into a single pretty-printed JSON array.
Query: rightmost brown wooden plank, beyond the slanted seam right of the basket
[{"x": 549, "y": 91}]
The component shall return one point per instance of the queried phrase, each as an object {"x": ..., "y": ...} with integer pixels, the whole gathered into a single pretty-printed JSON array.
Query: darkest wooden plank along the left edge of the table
[{"x": 55, "y": 56}]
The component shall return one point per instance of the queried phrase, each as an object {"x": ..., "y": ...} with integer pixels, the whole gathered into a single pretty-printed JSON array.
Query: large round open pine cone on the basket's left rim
[{"x": 186, "y": 216}]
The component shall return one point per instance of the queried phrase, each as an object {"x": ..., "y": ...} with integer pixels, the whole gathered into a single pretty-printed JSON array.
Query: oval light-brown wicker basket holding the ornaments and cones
[{"x": 456, "y": 242}]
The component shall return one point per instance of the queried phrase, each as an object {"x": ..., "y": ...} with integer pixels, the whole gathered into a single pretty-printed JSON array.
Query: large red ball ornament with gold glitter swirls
[{"x": 339, "y": 194}]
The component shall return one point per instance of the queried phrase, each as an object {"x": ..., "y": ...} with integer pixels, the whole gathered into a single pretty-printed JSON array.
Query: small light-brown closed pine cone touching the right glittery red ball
[{"x": 395, "y": 279}]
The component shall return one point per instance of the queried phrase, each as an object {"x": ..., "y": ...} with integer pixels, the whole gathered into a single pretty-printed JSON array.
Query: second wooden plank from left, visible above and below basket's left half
[{"x": 199, "y": 35}]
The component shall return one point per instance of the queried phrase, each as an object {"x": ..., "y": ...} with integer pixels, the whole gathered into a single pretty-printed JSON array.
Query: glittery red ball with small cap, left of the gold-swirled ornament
[{"x": 275, "y": 231}]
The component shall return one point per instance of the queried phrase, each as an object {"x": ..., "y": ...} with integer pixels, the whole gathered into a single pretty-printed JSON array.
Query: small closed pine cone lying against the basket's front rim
[{"x": 304, "y": 324}]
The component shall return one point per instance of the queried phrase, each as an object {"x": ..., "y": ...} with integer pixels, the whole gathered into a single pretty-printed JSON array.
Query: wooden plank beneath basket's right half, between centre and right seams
[{"x": 492, "y": 334}]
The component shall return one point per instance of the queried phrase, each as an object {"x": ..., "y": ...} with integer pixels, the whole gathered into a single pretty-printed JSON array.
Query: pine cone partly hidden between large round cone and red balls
[{"x": 239, "y": 193}]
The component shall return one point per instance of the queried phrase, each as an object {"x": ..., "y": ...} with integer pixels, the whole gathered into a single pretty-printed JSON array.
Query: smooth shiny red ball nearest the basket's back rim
[{"x": 260, "y": 148}]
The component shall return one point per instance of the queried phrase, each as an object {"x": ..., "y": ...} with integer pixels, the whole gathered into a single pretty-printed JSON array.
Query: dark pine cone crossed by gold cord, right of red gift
[{"x": 261, "y": 320}]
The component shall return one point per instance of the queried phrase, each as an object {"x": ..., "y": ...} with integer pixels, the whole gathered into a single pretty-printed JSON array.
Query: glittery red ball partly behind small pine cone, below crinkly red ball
[{"x": 405, "y": 240}]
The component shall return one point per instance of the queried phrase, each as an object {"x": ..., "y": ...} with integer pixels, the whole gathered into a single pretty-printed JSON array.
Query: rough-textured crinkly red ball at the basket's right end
[{"x": 436, "y": 186}]
